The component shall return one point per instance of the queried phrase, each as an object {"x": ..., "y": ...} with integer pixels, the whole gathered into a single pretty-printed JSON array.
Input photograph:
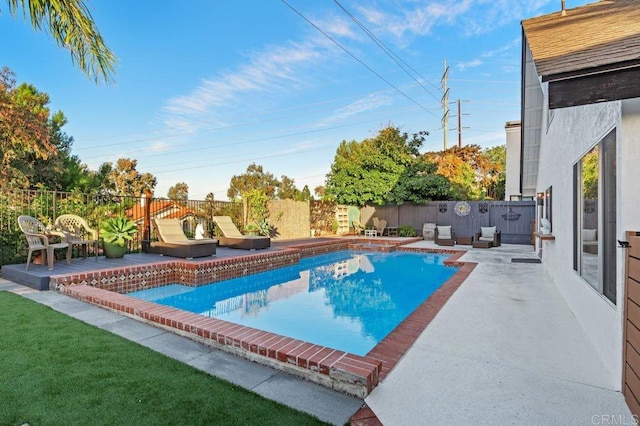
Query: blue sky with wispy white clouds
[{"x": 204, "y": 88}]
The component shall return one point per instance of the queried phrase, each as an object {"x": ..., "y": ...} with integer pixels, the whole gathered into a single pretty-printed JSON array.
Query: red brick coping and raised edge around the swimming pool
[{"x": 342, "y": 371}]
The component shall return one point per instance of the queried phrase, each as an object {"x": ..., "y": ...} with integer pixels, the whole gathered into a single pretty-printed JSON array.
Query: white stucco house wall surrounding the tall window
[{"x": 567, "y": 134}]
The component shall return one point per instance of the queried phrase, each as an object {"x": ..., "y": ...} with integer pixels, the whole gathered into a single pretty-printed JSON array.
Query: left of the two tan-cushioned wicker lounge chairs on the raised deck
[{"x": 174, "y": 243}]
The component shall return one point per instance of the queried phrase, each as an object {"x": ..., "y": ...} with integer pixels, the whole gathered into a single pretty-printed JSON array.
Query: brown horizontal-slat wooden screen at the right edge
[{"x": 631, "y": 365}]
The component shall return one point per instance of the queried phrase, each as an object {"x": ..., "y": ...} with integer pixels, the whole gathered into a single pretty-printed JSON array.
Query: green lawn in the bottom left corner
[{"x": 60, "y": 371}]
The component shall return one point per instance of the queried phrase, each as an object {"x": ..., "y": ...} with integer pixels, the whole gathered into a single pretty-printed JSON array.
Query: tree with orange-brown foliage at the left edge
[{"x": 24, "y": 130}]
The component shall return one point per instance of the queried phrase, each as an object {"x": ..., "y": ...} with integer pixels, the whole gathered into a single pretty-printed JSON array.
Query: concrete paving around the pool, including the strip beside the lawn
[{"x": 505, "y": 349}]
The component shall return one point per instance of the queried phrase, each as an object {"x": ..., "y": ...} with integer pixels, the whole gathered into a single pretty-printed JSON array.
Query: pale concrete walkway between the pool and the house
[{"x": 505, "y": 349}]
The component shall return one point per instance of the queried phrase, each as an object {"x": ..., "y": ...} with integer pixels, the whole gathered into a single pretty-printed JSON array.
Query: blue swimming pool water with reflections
[{"x": 345, "y": 300}]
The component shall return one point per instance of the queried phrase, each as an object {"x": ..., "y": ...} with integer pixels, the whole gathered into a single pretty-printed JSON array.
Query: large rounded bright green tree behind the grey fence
[{"x": 368, "y": 171}]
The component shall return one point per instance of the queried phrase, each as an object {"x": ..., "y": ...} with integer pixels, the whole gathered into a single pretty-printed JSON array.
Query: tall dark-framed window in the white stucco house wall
[{"x": 595, "y": 217}]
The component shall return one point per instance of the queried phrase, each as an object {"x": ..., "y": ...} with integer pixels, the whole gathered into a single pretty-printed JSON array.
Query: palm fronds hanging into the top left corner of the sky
[{"x": 72, "y": 27}]
